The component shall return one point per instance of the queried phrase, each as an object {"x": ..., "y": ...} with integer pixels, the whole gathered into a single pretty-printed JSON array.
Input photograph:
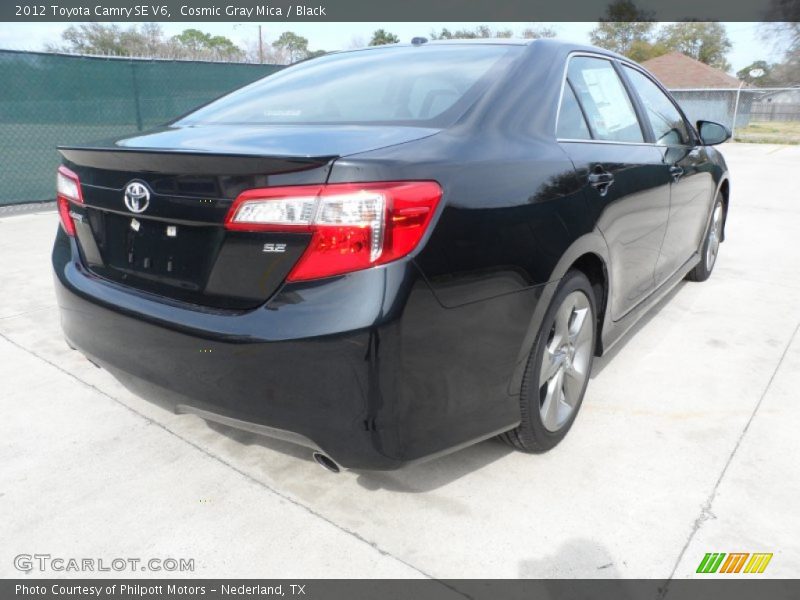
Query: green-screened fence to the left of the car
[{"x": 52, "y": 99}]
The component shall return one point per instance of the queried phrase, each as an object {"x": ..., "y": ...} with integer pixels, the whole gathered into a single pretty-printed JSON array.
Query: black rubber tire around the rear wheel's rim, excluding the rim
[{"x": 531, "y": 435}]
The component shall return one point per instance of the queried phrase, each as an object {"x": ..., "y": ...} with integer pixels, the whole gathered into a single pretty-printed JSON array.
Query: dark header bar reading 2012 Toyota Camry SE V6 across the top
[{"x": 486, "y": 11}]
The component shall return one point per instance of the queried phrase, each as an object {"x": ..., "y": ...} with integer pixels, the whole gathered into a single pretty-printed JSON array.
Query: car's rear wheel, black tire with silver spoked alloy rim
[{"x": 558, "y": 367}]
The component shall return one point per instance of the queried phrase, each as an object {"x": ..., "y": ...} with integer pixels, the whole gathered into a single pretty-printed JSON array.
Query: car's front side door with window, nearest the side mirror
[{"x": 692, "y": 185}]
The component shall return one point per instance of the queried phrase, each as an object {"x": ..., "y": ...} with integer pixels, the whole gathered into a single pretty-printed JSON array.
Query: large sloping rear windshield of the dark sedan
[{"x": 415, "y": 85}]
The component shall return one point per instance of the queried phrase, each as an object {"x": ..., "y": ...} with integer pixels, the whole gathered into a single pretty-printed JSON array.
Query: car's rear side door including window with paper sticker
[{"x": 627, "y": 184}]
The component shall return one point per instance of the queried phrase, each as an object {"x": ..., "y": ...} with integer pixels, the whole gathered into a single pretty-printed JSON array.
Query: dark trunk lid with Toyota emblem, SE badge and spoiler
[{"x": 154, "y": 205}]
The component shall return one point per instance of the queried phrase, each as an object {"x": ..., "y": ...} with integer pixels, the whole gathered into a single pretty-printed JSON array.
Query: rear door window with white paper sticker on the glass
[{"x": 604, "y": 100}]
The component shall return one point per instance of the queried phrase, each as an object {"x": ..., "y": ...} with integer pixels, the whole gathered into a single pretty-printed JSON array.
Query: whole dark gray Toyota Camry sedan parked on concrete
[{"x": 391, "y": 253}]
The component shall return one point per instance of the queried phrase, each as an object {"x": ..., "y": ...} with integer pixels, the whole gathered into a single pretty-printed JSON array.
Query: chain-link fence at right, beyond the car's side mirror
[{"x": 762, "y": 115}]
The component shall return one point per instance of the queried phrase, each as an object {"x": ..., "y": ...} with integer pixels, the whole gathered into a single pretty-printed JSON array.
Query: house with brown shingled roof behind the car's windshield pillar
[{"x": 703, "y": 91}]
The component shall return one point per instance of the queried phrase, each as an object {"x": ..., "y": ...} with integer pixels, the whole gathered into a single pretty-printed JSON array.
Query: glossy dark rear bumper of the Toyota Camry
[{"x": 368, "y": 368}]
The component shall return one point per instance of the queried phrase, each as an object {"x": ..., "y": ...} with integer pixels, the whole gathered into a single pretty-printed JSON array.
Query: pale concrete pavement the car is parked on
[{"x": 686, "y": 444}]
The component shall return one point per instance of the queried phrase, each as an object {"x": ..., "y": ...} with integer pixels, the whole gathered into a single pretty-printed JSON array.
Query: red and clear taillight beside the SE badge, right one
[{"x": 353, "y": 225}]
